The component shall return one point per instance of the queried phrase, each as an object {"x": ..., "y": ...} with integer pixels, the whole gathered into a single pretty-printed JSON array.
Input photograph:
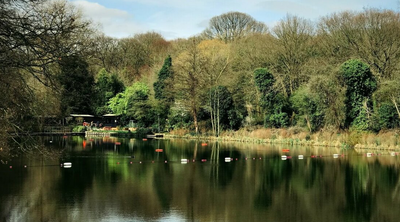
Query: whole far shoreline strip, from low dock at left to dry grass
[{"x": 386, "y": 140}]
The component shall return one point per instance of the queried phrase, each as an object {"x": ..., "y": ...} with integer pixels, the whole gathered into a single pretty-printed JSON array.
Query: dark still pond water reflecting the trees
[{"x": 132, "y": 182}]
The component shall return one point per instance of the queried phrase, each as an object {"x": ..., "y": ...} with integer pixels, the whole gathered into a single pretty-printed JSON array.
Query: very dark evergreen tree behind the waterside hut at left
[{"x": 77, "y": 85}]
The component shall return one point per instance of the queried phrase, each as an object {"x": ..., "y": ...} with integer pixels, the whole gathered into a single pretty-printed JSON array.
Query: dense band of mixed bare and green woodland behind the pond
[{"x": 339, "y": 73}]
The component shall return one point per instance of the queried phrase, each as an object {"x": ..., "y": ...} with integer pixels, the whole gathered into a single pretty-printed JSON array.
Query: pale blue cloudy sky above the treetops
[{"x": 175, "y": 19}]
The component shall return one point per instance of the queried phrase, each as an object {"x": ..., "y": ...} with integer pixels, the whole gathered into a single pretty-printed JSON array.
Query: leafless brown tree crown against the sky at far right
[{"x": 371, "y": 35}]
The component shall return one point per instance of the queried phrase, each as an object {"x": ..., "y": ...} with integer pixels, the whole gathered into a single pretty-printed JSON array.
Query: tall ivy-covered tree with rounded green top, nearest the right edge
[{"x": 360, "y": 86}]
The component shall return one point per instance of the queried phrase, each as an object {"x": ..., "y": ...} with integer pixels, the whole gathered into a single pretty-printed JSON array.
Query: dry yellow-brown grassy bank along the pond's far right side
[{"x": 384, "y": 140}]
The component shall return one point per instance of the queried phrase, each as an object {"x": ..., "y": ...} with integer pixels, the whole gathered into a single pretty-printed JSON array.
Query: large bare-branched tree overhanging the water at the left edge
[{"x": 34, "y": 36}]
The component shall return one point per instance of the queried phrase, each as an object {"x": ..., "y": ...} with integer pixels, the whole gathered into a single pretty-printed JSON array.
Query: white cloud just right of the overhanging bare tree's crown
[{"x": 114, "y": 22}]
